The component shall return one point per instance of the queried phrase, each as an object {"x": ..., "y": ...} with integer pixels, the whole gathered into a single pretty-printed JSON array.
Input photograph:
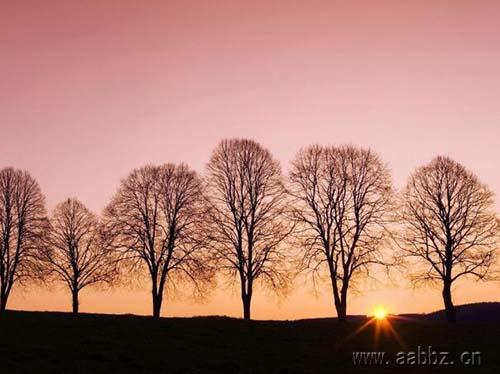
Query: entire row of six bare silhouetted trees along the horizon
[{"x": 335, "y": 216}]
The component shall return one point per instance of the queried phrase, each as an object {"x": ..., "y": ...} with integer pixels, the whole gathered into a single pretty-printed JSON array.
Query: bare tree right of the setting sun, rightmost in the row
[{"x": 450, "y": 227}]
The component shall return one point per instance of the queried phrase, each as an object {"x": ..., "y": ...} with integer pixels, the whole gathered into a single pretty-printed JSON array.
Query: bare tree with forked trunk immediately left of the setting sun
[{"x": 343, "y": 195}]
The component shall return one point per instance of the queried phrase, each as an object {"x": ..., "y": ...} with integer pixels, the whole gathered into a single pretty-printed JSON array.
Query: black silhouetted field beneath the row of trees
[{"x": 36, "y": 342}]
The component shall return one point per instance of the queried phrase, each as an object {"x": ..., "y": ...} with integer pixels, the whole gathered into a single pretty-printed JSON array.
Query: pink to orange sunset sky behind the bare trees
[{"x": 92, "y": 89}]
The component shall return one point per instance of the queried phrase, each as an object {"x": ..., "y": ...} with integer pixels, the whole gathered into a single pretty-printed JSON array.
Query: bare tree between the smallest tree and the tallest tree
[{"x": 156, "y": 219}]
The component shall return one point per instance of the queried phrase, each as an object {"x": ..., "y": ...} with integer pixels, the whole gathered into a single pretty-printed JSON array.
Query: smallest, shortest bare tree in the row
[{"x": 76, "y": 252}]
